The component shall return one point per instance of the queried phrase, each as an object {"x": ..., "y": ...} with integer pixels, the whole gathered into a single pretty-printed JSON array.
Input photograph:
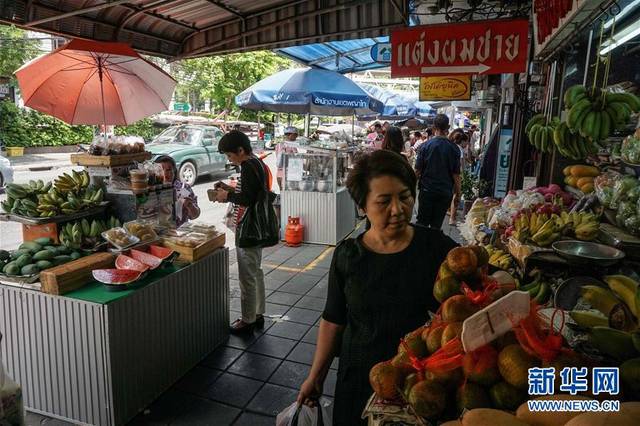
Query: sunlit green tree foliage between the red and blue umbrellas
[{"x": 220, "y": 78}]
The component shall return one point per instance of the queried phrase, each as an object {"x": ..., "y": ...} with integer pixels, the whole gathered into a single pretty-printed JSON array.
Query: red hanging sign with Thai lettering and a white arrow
[{"x": 487, "y": 47}]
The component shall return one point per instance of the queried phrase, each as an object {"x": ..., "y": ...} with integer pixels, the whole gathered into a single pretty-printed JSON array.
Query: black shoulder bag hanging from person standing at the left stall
[{"x": 259, "y": 225}]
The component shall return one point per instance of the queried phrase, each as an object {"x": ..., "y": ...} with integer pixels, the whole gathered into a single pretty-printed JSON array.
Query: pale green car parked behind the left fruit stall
[{"x": 194, "y": 148}]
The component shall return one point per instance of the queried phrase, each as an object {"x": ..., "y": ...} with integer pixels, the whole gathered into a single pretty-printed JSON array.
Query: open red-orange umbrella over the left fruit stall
[{"x": 87, "y": 82}]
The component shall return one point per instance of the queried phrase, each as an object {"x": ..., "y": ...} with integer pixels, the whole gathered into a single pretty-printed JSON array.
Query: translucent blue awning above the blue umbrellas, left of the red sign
[{"x": 342, "y": 56}]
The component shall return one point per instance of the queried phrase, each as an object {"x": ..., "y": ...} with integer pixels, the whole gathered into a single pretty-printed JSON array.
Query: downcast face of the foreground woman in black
[{"x": 389, "y": 205}]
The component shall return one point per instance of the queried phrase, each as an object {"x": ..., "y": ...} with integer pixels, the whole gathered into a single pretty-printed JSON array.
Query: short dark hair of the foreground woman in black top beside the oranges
[{"x": 379, "y": 163}]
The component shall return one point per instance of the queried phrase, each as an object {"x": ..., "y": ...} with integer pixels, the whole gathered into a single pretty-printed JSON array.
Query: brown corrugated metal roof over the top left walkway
[{"x": 189, "y": 28}]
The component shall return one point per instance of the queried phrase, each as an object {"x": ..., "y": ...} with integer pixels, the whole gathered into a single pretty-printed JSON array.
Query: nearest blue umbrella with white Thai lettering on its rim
[{"x": 308, "y": 91}]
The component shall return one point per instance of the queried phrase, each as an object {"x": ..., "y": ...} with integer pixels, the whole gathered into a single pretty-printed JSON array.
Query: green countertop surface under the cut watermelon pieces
[{"x": 96, "y": 292}]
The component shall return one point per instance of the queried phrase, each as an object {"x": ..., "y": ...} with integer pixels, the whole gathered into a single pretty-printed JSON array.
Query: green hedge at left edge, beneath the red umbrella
[{"x": 22, "y": 127}]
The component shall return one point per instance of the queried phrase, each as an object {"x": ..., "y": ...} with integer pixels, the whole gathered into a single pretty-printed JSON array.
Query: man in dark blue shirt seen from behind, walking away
[{"x": 438, "y": 171}]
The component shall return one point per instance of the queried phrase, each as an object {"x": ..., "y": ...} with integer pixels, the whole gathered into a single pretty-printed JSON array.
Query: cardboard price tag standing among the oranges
[{"x": 495, "y": 320}]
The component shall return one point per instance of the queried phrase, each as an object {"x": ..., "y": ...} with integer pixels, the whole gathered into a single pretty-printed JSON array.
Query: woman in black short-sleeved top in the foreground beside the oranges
[{"x": 377, "y": 293}]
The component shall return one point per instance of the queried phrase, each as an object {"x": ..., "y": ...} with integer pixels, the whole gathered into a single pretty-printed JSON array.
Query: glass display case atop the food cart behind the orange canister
[{"x": 316, "y": 169}]
